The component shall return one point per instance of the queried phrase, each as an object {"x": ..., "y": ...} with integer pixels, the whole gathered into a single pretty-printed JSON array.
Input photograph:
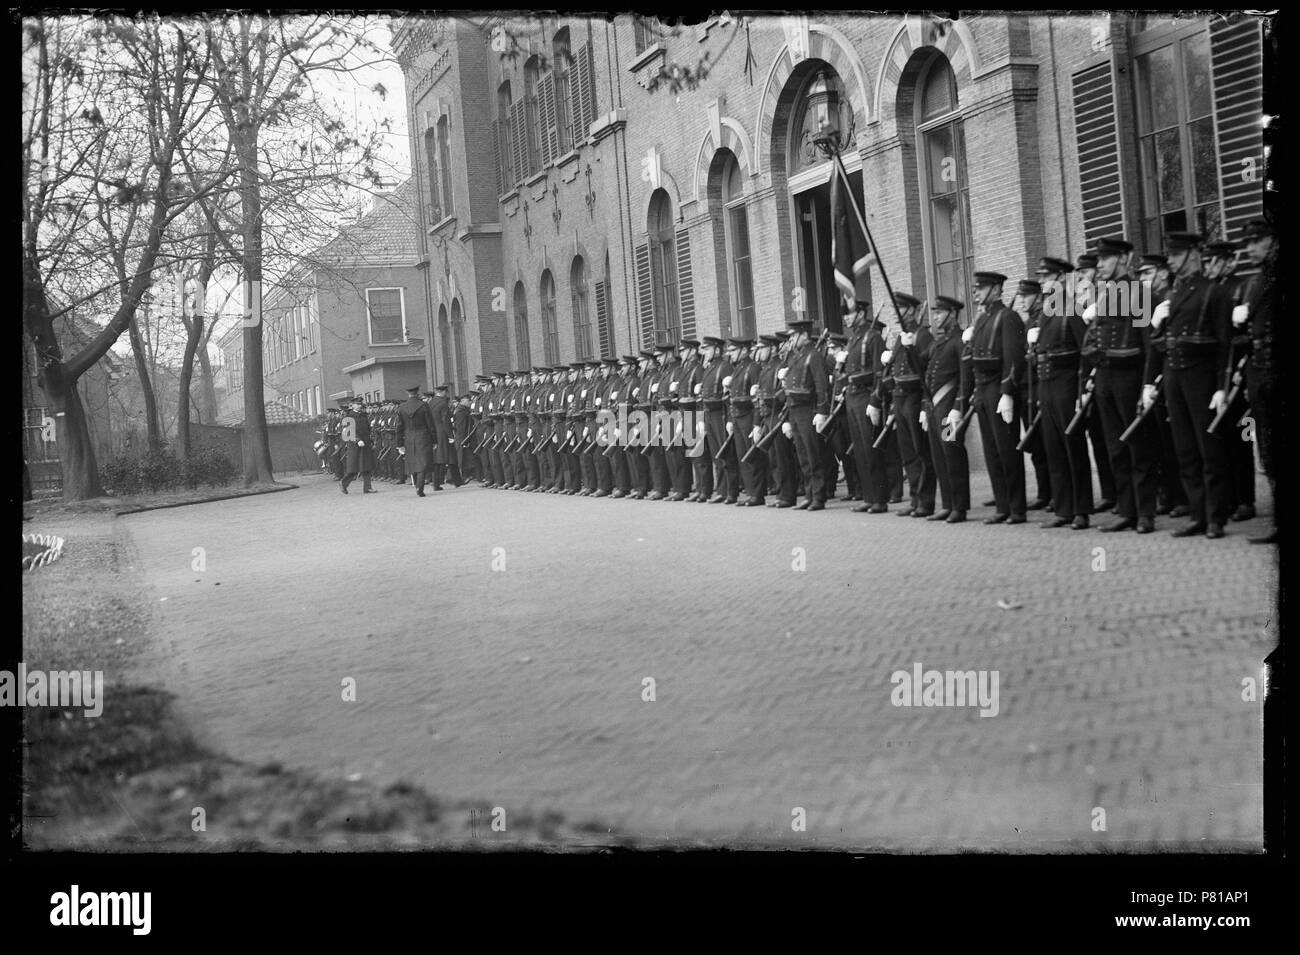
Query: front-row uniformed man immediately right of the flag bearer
[{"x": 944, "y": 409}]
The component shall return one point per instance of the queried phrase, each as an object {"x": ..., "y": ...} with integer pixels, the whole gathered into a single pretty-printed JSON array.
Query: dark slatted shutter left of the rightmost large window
[{"x": 1098, "y": 134}]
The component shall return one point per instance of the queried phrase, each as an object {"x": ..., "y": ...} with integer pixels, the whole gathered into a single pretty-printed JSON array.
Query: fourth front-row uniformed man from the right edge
[{"x": 1055, "y": 355}]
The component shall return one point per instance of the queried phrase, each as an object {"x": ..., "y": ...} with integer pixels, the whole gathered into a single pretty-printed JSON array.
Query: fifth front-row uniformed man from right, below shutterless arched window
[{"x": 998, "y": 359}]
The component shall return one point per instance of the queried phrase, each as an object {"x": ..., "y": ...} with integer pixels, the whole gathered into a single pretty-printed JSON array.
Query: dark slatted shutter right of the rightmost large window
[{"x": 1237, "y": 64}]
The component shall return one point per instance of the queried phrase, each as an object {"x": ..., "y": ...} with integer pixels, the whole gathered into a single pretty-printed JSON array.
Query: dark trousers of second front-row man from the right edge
[{"x": 1202, "y": 458}]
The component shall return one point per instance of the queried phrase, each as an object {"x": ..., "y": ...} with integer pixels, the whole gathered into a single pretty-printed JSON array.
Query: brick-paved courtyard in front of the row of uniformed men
[{"x": 1120, "y": 689}]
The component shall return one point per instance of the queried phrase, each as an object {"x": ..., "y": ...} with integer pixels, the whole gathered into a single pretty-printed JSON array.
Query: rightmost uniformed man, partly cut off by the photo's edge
[{"x": 1259, "y": 314}]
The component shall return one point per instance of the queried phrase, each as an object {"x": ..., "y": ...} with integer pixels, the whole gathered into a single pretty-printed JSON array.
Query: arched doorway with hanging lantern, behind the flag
[{"x": 813, "y": 94}]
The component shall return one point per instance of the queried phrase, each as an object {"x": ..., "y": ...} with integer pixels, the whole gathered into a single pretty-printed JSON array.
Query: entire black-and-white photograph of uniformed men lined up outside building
[{"x": 324, "y": 312}]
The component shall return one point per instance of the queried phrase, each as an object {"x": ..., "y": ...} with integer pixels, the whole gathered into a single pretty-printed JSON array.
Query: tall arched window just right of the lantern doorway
[{"x": 946, "y": 189}]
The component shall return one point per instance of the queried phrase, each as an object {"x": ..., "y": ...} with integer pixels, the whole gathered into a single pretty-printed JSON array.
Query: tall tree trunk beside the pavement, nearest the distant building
[{"x": 257, "y": 444}]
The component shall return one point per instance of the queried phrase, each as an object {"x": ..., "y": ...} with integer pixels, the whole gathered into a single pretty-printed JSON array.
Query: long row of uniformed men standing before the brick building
[{"x": 779, "y": 418}]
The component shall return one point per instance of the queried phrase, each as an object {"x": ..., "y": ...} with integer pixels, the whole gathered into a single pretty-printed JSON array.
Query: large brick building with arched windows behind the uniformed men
[{"x": 566, "y": 210}]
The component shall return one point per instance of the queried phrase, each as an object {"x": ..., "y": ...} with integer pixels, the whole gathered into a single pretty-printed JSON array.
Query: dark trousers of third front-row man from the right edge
[{"x": 1134, "y": 463}]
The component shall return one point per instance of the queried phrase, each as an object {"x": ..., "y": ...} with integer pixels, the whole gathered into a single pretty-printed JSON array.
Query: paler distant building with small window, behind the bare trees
[{"x": 353, "y": 319}]
